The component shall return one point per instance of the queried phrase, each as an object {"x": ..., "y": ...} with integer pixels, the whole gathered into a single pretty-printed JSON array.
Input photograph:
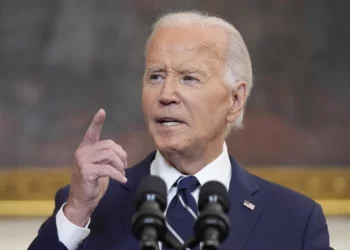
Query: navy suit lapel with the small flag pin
[{"x": 243, "y": 217}]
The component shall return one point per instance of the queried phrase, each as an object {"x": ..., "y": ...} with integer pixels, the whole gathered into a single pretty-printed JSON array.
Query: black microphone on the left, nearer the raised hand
[{"x": 148, "y": 224}]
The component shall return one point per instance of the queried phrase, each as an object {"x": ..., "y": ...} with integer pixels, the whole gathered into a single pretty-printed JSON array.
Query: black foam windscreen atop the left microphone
[{"x": 152, "y": 185}]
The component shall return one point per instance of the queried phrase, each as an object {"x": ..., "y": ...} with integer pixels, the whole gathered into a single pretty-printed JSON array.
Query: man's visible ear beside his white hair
[{"x": 238, "y": 101}]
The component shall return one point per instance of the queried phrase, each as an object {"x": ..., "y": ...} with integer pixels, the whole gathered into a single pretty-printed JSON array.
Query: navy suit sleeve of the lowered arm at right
[{"x": 316, "y": 235}]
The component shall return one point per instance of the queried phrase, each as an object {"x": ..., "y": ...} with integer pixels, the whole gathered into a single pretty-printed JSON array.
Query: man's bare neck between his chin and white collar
[{"x": 189, "y": 162}]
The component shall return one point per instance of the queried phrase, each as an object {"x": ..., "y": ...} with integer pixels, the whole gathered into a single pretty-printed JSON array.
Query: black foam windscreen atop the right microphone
[{"x": 213, "y": 191}]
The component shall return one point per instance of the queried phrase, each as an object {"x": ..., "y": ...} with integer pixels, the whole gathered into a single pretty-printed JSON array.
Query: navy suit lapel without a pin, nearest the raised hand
[{"x": 126, "y": 203}]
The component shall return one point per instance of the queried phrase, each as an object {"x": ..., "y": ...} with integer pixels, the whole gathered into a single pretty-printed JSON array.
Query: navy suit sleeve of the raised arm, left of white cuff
[{"x": 47, "y": 237}]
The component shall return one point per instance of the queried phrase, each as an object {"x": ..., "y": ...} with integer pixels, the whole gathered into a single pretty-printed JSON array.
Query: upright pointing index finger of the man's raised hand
[{"x": 93, "y": 132}]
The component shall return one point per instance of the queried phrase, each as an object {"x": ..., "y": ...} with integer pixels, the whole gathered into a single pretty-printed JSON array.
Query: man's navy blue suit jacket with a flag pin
[{"x": 282, "y": 219}]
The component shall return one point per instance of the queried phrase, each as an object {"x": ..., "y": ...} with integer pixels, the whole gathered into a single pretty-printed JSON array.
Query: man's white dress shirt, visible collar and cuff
[{"x": 218, "y": 170}]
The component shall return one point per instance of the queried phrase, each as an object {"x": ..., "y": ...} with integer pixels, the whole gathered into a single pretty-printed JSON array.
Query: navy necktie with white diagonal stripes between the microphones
[{"x": 182, "y": 211}]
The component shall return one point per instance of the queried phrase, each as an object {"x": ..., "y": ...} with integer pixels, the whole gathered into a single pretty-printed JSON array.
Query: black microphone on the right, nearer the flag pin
[{"x": 213, "y": 225}]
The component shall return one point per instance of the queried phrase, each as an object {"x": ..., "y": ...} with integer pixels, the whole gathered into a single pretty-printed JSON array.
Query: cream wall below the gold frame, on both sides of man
[{"x": 17, "y": 233}]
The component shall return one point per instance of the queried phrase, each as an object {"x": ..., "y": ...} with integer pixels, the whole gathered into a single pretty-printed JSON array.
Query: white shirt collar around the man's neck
[{"x": 218, "y": 170}]
